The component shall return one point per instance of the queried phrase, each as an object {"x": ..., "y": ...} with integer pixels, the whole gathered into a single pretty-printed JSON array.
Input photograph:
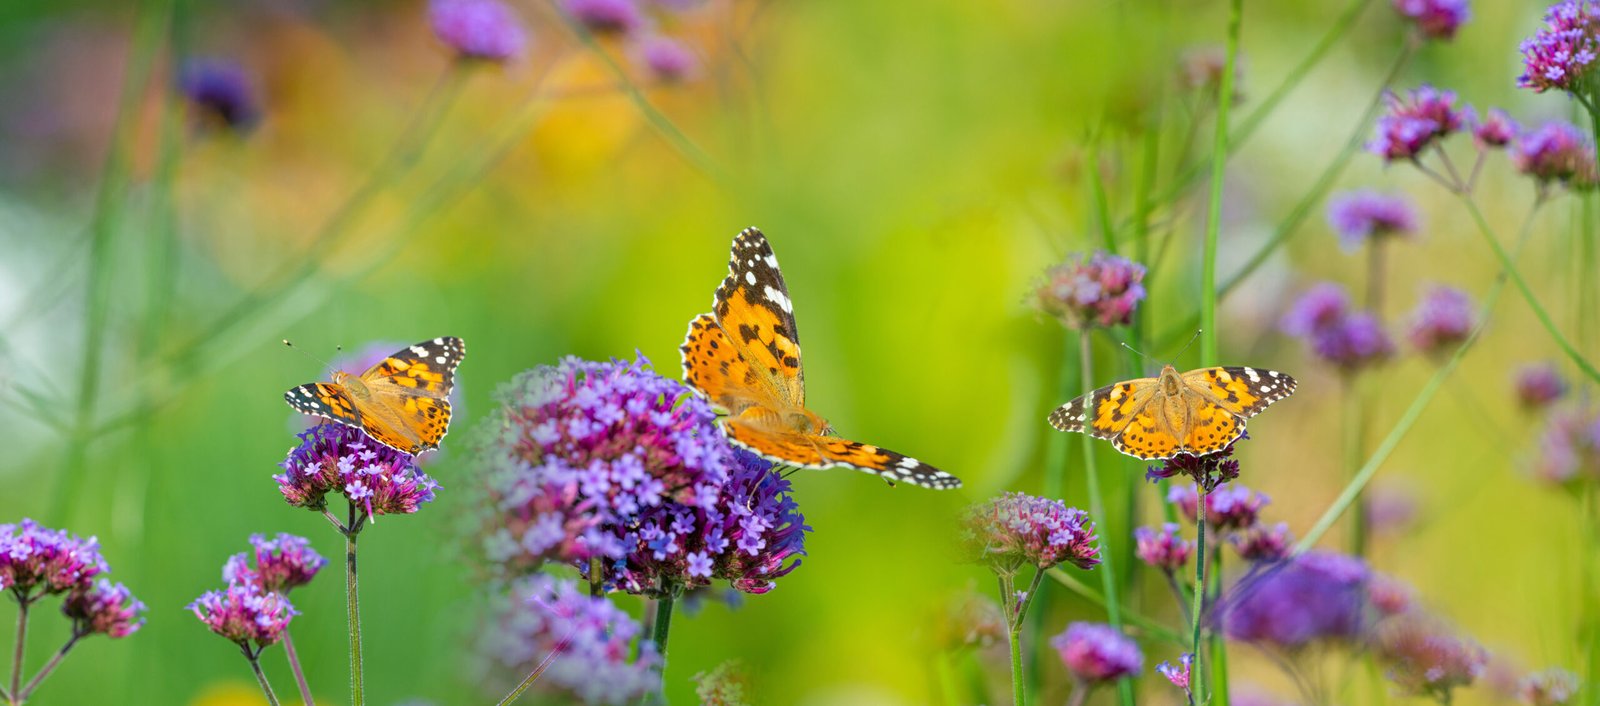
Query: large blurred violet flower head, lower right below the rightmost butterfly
[{"x": 1314, "y": 598}]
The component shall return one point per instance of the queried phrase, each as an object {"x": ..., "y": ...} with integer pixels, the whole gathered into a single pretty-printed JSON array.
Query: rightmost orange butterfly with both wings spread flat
[{"x": 1198, "y": 412}]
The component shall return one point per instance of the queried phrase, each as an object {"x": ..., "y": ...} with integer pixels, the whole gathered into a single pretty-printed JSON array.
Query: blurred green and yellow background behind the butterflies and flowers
[{"x": 916, "y": 166}]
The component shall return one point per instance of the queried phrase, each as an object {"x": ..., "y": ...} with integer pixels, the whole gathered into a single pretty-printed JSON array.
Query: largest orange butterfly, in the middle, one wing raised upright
[{"x": 745, "y": 356}]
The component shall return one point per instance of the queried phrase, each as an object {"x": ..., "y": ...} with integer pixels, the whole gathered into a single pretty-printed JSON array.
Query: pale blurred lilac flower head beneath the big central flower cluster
[{"x": 591, "y": 638}]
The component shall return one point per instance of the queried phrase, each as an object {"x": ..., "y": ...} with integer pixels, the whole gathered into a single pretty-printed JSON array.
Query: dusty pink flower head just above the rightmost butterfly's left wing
[{"x": 1095, "y": 291}]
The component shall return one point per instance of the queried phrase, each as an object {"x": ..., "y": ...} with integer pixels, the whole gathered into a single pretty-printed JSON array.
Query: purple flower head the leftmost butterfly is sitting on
[{"x": 343, "y": 460}]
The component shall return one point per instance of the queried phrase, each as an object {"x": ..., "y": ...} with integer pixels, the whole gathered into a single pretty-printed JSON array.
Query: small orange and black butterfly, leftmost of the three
[{"x": 401, "y": 403}]
